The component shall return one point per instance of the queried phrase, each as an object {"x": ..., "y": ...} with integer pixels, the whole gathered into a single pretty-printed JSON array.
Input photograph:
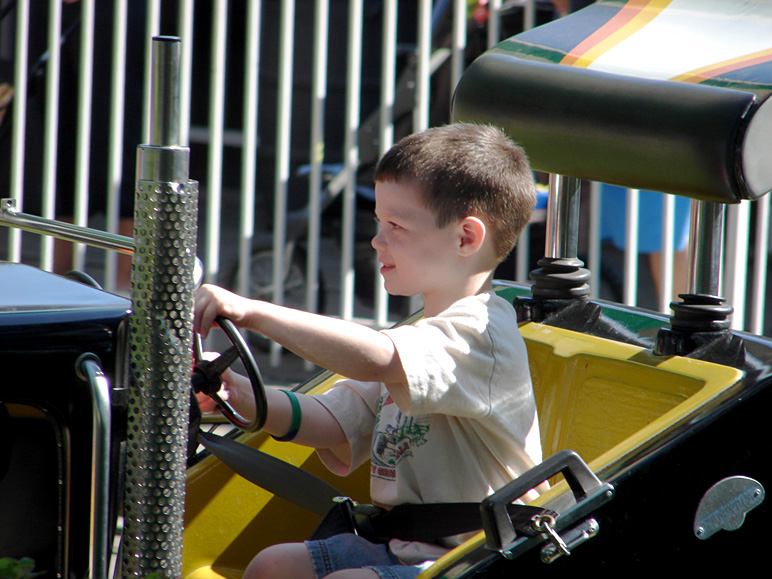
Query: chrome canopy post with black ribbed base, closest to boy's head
[{"x": 560, "y": 279}]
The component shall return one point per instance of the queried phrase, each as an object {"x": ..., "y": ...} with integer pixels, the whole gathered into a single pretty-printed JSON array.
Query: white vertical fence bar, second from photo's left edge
[{"x": 51, "y": 130}]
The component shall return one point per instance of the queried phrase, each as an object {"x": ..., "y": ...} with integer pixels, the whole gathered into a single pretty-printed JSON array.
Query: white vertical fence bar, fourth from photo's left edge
[{"x": 115, "y": 160}]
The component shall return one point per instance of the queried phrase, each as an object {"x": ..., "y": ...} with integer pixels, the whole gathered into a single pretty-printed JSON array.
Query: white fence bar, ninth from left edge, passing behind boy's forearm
[{"x": 283, "y": 150}]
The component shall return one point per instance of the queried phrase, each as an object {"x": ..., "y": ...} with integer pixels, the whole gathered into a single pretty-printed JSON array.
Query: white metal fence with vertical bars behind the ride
[{"x": 285, "y": 104}]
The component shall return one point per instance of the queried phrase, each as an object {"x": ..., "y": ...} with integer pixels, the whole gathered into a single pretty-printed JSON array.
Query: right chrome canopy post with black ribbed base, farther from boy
[{"x": 701, "y": 320}]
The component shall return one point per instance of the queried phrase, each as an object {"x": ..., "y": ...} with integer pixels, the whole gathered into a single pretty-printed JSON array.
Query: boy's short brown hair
[{"x": 467, "y": 170}]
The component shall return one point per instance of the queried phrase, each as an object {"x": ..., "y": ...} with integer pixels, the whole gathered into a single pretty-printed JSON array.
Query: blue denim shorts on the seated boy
[{"x": 350, "y": 551}]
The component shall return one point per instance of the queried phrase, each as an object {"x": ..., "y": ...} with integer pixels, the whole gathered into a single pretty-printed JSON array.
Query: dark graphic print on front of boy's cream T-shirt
[{"x": 395, "y": 437}]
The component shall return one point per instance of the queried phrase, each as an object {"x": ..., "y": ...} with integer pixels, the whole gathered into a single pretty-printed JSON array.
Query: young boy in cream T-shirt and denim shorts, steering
[{"x": 444, "y": 409}]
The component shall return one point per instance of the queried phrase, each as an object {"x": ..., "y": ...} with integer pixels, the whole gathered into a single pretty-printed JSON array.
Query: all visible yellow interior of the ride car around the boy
[{"x": 604, "y": 399}]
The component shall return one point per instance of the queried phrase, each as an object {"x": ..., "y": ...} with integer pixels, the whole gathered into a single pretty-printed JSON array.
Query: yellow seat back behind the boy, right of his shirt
[{"x": 595, "y": 394}]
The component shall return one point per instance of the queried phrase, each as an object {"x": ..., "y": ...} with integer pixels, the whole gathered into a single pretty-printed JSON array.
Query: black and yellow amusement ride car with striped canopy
[{"x": 653, "y": 427}]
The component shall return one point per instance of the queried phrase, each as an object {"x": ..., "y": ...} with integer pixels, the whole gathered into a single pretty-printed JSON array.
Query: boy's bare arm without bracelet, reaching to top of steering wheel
[{"x": 347, "y": 348}]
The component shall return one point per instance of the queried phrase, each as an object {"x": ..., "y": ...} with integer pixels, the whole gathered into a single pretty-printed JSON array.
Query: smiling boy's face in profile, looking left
[{"x": 417, "y": 257}]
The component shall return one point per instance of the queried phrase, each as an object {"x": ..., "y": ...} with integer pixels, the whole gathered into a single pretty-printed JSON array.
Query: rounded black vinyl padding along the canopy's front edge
[{"x": 673, "y": 137}]
